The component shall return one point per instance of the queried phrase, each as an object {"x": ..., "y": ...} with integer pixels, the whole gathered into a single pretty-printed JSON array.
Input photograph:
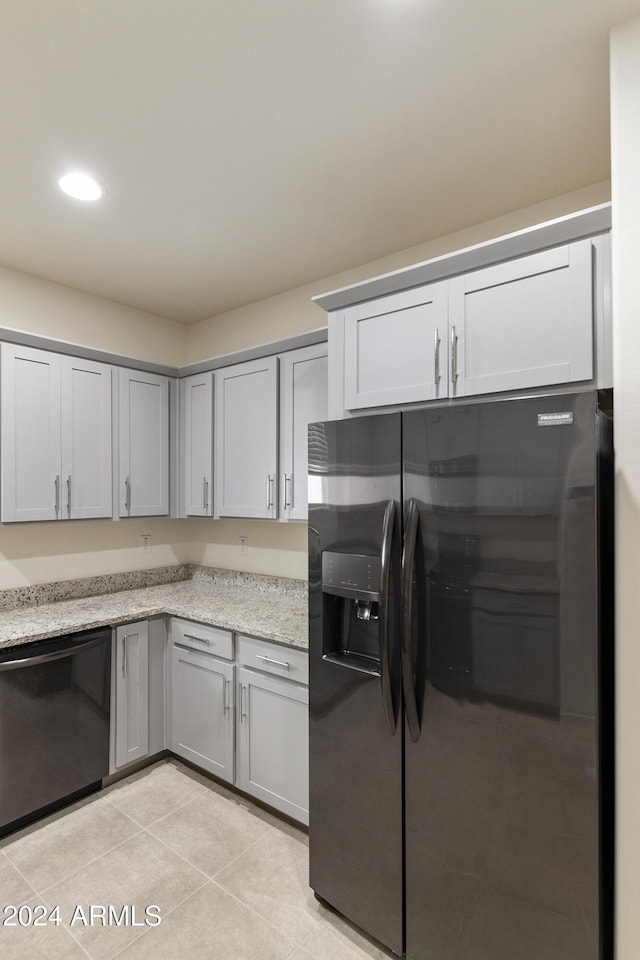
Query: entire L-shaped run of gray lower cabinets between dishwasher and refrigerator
[{"x": 236, "y": 707}]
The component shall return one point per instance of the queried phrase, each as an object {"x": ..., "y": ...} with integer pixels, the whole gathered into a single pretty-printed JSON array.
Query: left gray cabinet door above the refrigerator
[{"x": 395, "y": 348}]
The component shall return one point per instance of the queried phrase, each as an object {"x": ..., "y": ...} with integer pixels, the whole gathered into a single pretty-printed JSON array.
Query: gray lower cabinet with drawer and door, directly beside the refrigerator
[{"x": 273, "y": 726}]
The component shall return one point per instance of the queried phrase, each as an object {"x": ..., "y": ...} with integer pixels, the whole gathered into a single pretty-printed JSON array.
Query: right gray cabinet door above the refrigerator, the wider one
[{"x": 525, "y": 323}]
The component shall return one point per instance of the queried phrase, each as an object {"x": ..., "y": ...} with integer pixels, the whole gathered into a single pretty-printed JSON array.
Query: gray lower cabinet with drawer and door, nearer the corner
[{"x": 201, "y": 727}]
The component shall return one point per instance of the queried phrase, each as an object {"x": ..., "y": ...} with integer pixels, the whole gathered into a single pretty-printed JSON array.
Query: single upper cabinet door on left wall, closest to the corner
[{"x": 144, "y": 444}]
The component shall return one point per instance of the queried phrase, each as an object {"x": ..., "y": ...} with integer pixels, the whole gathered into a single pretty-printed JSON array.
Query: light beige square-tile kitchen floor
[{"x": 230, "y": 880}]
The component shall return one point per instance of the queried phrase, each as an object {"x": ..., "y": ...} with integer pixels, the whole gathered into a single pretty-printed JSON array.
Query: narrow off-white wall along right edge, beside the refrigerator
[{"x": 625, "y": 118}]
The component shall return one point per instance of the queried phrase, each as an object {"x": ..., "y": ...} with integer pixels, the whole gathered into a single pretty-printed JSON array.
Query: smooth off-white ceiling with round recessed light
[{"x": 250, "y": 146}]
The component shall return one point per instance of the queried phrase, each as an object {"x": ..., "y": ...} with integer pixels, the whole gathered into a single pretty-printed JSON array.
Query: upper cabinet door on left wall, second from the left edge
[{"x": 86, "y": 439}]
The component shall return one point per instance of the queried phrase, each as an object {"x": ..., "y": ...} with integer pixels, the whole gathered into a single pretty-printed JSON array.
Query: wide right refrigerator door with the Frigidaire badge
[{"x": 502, "y": 853}]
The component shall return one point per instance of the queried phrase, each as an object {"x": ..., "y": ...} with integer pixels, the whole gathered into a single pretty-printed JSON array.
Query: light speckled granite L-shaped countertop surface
[{"x": 239, "y": 606}]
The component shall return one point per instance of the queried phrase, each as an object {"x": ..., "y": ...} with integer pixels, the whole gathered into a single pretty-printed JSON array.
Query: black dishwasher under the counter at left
[{"x": 54, "y": 723}]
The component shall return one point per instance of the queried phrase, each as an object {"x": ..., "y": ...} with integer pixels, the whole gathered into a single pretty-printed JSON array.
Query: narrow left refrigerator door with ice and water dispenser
[{"x": 355, "y": 828}]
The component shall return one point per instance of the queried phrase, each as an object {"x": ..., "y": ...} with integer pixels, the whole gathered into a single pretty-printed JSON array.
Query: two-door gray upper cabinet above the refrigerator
[{"x": 523, "y": 323}]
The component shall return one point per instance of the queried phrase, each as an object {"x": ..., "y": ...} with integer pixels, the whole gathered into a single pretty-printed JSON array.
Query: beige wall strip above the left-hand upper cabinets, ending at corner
[{"x": 52, "y": 310}]
